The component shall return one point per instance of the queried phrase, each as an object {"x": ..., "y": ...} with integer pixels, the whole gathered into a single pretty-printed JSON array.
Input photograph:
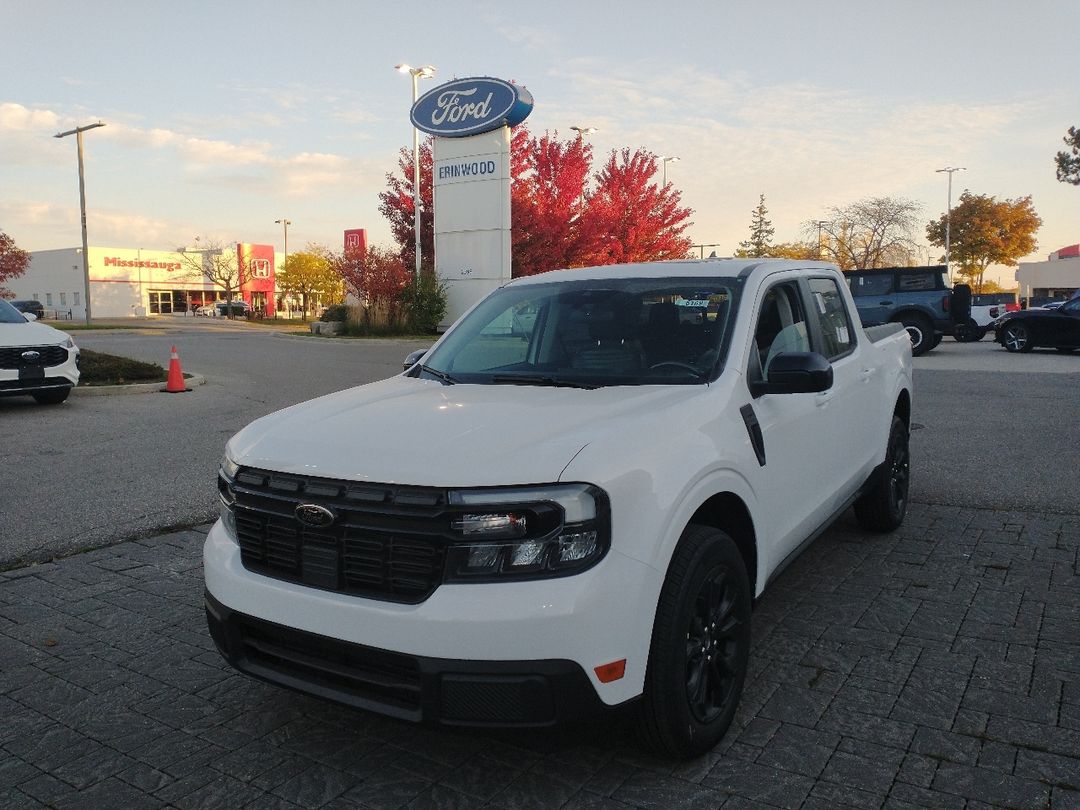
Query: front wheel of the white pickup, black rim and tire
[{"x": 700, "y": 646}]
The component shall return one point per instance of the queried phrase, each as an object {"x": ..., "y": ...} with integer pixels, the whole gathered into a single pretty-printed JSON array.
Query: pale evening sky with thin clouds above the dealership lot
[{"x": 222, "y": 118}]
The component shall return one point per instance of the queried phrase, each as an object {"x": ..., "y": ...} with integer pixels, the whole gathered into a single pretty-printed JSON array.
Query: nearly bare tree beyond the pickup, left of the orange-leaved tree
[{"x": 877, "y": 232}]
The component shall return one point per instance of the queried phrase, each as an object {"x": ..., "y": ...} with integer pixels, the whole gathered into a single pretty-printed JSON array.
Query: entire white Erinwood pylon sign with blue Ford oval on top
[{"x": 471, "y": 120}]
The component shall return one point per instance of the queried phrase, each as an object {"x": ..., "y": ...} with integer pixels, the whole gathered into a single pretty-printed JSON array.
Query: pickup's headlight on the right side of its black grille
[{"x": 528, "y": 533}]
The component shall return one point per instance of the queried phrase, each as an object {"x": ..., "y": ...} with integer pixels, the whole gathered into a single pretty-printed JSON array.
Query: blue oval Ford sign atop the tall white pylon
[{"x": 470, "y": 107}]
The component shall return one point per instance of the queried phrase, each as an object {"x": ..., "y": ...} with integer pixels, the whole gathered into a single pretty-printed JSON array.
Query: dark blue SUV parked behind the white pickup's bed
[{"x": 919, "y": 298}]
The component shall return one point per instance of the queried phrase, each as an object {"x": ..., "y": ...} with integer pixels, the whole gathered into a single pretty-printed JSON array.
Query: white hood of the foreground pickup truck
[{"x": 422, "y": 433}]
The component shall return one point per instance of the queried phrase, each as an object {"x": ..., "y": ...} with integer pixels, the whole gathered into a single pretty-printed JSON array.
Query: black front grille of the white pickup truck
[{"x": 385, "y": 543}]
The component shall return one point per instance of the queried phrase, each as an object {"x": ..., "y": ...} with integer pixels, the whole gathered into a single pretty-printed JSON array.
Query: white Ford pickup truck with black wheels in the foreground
[{"x": 569, "y": 505}]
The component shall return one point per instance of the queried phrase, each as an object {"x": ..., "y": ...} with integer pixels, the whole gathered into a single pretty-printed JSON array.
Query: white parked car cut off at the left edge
[{"x": 36, "y": 360}]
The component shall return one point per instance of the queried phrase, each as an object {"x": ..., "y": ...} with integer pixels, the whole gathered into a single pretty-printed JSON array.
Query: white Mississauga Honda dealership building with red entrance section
[{"x": 137, "y": 282}]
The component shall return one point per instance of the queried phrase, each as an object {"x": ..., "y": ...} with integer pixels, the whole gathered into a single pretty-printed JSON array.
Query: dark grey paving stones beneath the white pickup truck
[{"x": 936, "y": 668}]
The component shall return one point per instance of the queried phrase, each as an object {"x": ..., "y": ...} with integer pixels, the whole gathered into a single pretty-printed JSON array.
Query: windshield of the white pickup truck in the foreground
[{"x": 601, "y": 332}]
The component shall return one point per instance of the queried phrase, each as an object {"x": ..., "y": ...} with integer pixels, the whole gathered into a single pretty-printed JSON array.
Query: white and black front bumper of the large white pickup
[{"x": 483, "y": 654}]
